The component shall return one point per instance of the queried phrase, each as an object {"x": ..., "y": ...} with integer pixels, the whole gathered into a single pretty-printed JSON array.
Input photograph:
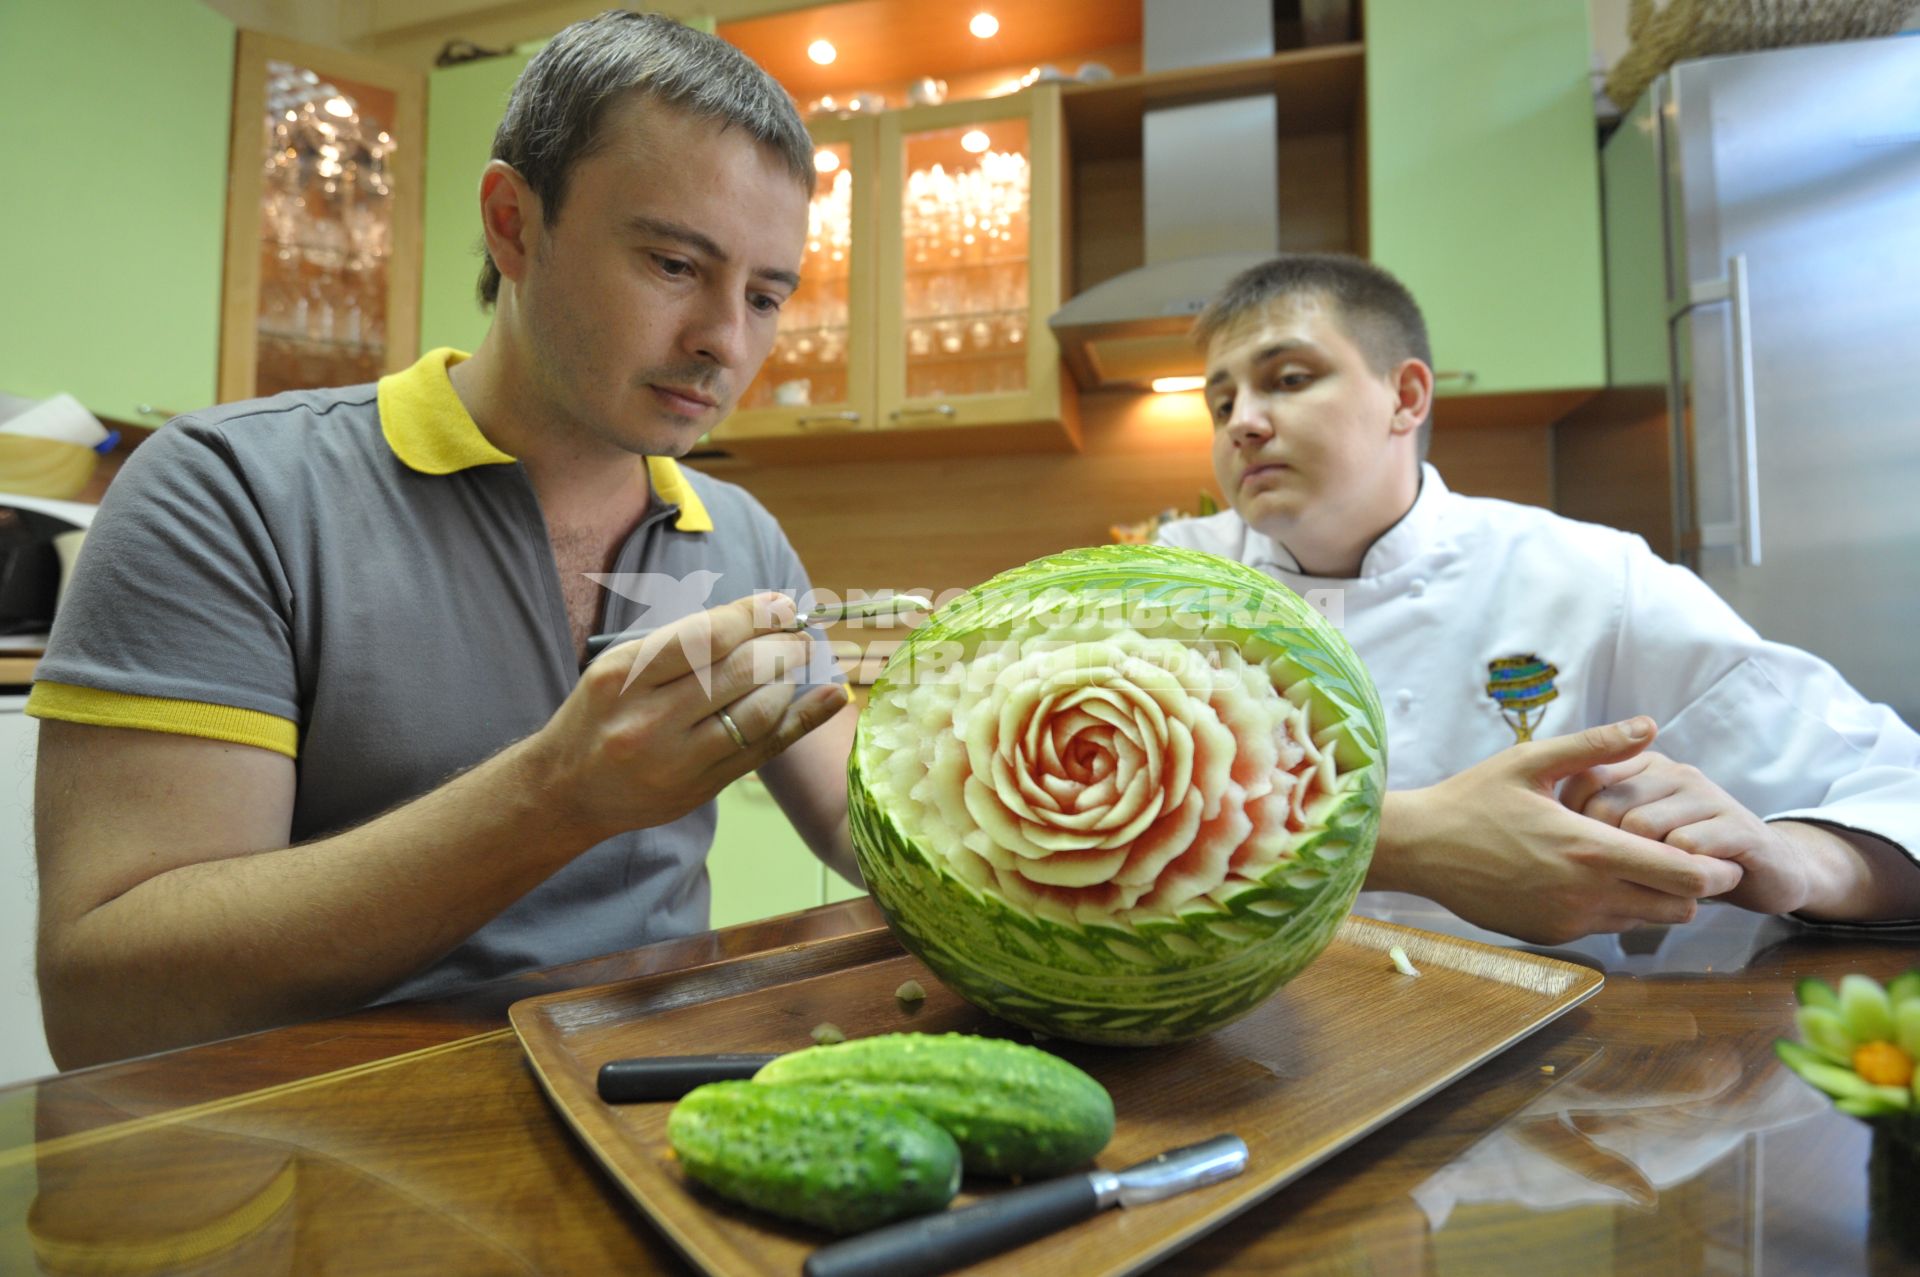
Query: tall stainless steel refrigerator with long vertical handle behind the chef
[{"x": 1764, "y": 264}]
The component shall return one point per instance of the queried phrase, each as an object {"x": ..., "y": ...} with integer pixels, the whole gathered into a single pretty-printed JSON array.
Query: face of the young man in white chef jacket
[{"x": 1310, "y": 445}]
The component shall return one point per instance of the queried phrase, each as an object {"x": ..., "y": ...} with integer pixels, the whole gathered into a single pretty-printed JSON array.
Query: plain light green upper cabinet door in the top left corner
[{"x": 118, "y": 157}]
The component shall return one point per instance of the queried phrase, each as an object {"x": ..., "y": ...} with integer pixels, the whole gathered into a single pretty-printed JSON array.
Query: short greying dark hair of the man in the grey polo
[{"x": 560, "y": 105}]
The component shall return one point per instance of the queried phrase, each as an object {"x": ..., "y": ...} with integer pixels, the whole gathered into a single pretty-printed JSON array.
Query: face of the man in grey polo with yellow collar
[{"x": 654, "y": 299}]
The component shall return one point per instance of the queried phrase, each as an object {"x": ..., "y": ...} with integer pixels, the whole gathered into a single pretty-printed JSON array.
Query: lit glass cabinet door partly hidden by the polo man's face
[{"x": 819, "y": 377}]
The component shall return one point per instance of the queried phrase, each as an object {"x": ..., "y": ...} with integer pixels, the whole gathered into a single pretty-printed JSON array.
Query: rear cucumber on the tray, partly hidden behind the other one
[{"x": 1015, "y": 1111}]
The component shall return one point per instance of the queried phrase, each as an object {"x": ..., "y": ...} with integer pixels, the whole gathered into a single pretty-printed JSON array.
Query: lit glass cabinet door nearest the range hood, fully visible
[{"x": 974, "y": 262}]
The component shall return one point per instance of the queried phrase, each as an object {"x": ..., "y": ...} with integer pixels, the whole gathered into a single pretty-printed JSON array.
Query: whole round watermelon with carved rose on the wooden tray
[{"x": 1120, "y": 794}]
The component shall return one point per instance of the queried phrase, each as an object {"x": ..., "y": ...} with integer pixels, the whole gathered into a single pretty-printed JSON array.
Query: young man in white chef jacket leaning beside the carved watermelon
[{"x": 1581, "y": 736}]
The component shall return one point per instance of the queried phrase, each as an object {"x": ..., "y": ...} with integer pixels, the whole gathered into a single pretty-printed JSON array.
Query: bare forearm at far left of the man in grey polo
[{"x": 260, "y": 940}]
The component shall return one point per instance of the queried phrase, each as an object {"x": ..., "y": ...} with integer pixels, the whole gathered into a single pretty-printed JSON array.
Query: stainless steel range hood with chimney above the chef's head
[{"x": 1211, "y": 176}]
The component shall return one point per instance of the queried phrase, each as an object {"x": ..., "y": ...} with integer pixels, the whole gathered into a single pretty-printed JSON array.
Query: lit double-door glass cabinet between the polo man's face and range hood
[{"x": 928, "y": 335}]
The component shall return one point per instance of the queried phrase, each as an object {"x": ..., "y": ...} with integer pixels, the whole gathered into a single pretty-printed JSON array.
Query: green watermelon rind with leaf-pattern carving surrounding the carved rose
[{"x": 1159, "y": 978}]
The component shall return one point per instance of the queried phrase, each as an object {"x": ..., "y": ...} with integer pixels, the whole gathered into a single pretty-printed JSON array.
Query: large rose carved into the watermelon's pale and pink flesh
[{"x": 1120, "y": 773}]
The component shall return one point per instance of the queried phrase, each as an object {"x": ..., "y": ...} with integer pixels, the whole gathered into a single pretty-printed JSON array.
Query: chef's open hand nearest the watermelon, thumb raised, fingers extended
[{"x": 1499, "y": 848}]
